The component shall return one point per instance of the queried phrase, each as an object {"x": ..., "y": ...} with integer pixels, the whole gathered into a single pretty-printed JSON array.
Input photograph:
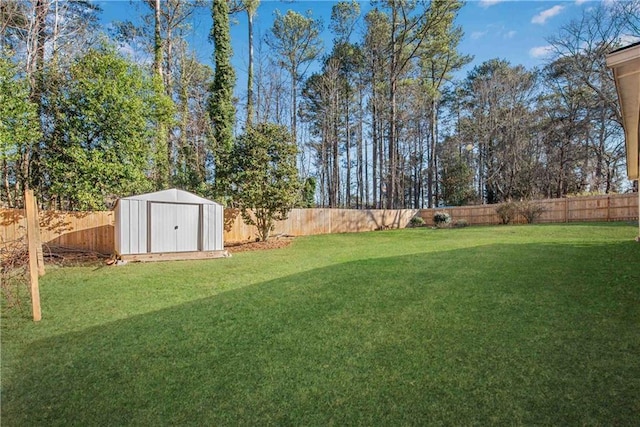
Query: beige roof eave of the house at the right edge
[{"x": 625, "y": 63}]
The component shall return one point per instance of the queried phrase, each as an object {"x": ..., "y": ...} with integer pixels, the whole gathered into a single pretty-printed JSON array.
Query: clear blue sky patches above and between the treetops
[{"x": 512, "y": 30}]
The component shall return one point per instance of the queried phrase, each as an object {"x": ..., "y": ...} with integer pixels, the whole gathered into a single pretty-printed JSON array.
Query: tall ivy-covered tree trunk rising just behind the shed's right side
[{"x": 221, "y": 108}]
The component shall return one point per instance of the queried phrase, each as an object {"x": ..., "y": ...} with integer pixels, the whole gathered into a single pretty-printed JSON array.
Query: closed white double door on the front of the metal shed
[{"x": 174, "y": 227}]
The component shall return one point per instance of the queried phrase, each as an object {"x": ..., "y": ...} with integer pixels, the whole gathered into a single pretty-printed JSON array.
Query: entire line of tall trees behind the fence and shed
[{"x": 92, "y": 114}]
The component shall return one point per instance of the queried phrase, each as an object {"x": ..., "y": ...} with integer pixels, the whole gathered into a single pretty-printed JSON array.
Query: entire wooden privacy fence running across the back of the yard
[{"x": 94, "y": 231}]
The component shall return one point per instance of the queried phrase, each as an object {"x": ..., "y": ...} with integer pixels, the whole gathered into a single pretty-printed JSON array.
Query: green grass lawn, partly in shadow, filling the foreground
[{"x": 477, "y": 326}]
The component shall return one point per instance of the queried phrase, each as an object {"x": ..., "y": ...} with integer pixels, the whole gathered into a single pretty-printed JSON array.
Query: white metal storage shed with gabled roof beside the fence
[{"x": 168, "y": 222}]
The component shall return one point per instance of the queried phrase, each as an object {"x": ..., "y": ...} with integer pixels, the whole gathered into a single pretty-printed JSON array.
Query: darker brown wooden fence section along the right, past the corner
[{"x": 615, "y": 207}]
